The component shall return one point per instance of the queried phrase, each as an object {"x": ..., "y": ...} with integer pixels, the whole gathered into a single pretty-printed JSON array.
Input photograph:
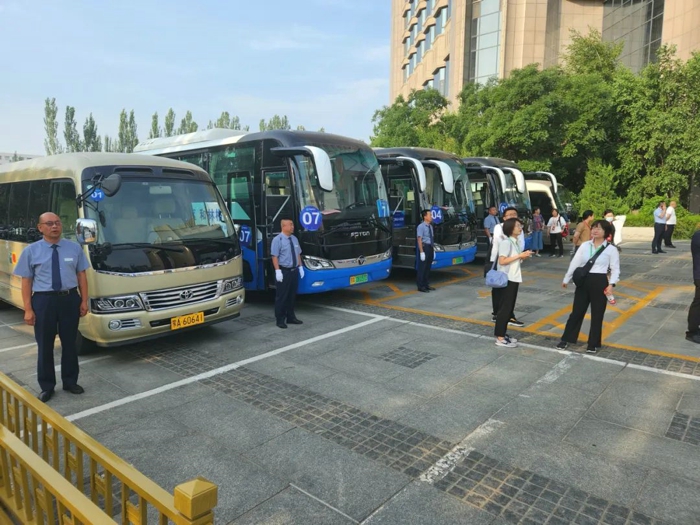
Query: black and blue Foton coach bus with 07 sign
[{"x": 330, "y": 186}]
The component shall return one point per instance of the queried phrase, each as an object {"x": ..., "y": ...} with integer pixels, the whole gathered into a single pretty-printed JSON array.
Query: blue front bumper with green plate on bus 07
[{"x": 317, "y": 281}]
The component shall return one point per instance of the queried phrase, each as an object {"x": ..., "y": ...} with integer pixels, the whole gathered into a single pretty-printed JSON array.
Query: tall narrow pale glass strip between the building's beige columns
[{"x": 485, "y": 41}]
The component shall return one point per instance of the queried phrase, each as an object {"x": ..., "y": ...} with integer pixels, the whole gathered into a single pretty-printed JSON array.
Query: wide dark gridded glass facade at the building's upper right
[{"x": 639, "y": 25}]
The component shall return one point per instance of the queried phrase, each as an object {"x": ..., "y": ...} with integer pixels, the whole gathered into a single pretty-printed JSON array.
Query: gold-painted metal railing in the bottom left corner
[{"x": 34, "y": 439}]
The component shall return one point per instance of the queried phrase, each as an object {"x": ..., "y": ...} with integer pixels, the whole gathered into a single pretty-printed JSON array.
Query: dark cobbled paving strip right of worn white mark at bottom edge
[{"x": 520, "y": 496}]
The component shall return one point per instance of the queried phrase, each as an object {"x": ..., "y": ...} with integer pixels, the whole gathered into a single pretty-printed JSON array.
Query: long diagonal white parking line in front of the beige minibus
[{"x": 218, "y": 371}]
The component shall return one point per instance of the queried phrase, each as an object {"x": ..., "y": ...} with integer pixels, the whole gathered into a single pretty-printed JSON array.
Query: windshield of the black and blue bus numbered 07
[{"x": 358, "y": 188}]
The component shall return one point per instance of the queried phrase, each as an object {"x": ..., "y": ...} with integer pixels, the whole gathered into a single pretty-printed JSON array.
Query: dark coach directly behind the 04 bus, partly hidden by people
[{"x": 501, "y": 183}]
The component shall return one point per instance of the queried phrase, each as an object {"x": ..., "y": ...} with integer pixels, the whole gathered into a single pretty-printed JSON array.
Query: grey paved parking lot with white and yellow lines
[{"x": 394, "y": 407}]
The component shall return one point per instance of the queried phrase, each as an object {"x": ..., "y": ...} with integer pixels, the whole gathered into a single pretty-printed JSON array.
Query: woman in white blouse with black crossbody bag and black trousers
[{"x": 594, "y": 289}]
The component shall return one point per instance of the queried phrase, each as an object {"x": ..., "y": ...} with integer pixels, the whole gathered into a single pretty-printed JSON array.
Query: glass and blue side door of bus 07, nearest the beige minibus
[{"x": 241, "y": 204}]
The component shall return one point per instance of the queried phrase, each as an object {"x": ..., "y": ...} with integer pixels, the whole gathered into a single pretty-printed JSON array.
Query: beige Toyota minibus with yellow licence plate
[{"x": 164, "y": 255}]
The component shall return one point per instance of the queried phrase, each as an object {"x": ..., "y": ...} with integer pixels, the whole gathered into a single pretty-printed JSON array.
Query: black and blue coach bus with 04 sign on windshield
[{"x": 427, "y": 179}]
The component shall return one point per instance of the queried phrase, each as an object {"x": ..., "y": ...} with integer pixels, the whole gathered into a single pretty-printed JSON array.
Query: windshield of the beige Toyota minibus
[{"x": 152, "y": 224}]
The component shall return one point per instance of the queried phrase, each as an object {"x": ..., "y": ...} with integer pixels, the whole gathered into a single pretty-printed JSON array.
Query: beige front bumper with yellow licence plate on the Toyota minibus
[{"x": 130, "y": 327}]
